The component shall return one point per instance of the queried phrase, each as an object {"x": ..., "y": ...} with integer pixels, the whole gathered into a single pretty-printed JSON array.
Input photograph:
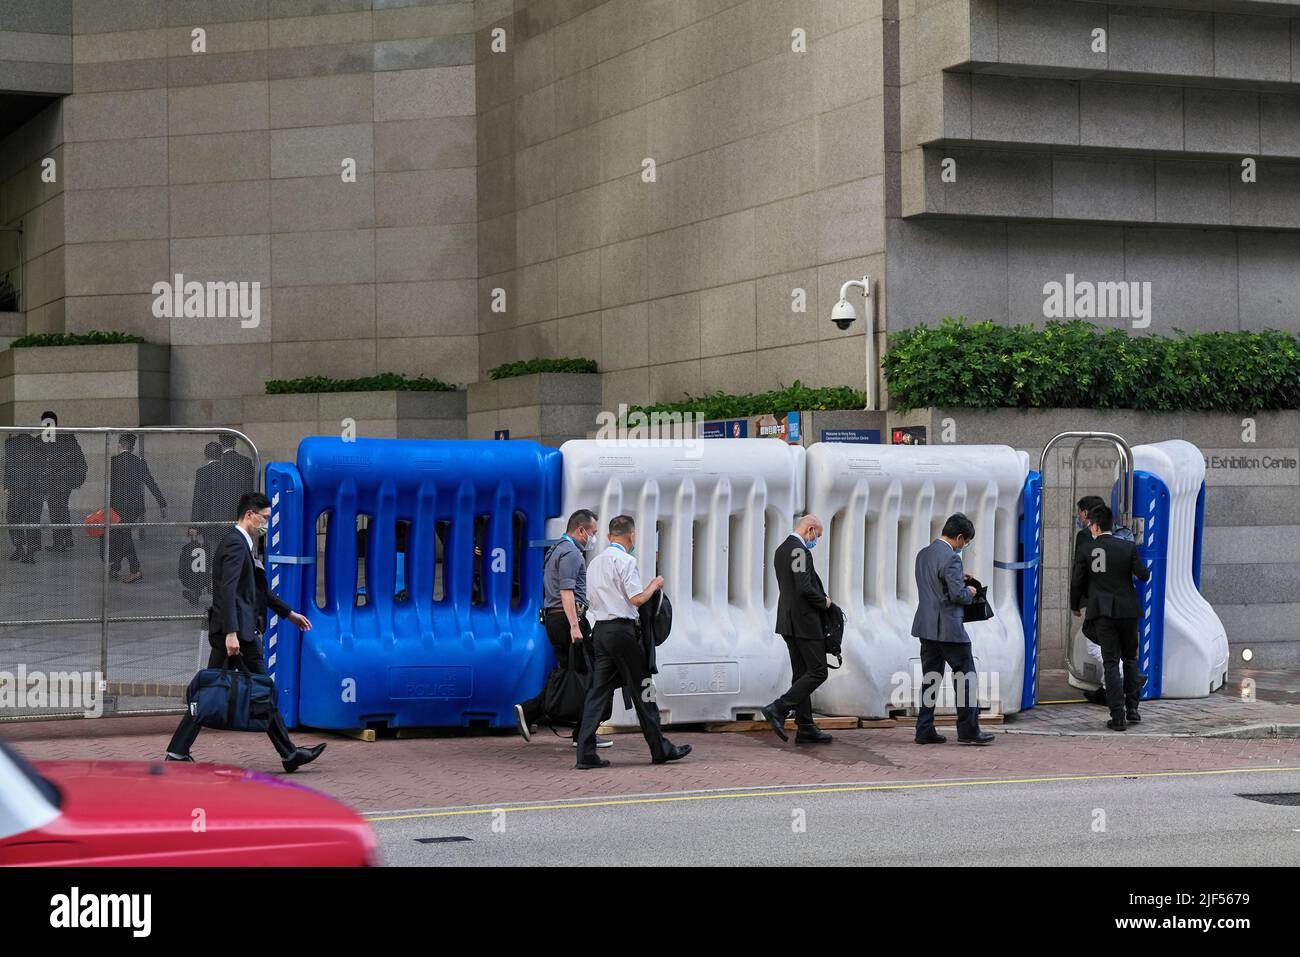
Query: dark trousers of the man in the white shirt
[{"x": 619, "y": 664}]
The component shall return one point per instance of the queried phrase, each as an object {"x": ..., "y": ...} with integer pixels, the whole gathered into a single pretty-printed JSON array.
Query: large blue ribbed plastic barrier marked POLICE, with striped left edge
[{"x": 457, "y": 640}]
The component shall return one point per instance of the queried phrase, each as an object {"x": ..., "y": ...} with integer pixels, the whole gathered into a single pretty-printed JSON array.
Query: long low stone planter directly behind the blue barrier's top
[{"x": 279, "y": 423}]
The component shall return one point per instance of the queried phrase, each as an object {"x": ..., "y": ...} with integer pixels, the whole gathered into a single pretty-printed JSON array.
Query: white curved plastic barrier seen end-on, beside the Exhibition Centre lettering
[{"x": 1195, "y": 659}]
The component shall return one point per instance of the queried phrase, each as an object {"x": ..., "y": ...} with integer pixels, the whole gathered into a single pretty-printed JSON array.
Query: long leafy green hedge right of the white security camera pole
[{"x": 1076, "y": 365}]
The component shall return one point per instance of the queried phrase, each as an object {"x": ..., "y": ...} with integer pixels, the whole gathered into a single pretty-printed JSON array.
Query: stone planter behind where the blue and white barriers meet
[{"x": 551, "y": 408}]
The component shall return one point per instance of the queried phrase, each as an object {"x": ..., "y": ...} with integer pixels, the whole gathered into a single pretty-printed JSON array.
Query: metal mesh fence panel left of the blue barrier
[{"x": 111, "y": 535}]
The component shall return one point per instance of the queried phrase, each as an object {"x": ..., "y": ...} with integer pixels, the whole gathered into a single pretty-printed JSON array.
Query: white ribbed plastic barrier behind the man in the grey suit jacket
[{"x": 881, "y": 505}]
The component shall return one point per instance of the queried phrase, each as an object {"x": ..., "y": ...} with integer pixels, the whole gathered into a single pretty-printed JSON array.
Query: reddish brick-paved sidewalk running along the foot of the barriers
[{"x": 500, "y": 768}]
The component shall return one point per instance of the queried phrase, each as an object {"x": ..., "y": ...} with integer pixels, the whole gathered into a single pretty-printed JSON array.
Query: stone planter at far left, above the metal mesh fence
[{"x": 86, "y": 386}]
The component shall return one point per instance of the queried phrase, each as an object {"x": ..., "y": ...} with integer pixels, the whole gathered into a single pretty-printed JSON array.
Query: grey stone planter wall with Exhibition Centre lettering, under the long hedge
[{"x": 1250, "y": 571}]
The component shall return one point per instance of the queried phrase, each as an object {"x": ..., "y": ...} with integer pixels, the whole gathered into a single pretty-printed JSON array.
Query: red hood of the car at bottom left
[{"x": 158, "y": 815}]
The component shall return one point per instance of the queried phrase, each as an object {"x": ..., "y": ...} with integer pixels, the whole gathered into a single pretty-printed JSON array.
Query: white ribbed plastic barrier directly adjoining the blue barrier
[{"x": 716, "y": 513}]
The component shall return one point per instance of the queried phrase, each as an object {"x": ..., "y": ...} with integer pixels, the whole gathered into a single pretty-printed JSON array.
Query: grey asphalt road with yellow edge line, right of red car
[{"x": 1169, "y": 819}]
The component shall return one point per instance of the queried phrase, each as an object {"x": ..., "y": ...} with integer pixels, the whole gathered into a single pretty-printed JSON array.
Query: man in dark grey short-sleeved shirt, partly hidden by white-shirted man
[{"x": 565, "y": 618}]
